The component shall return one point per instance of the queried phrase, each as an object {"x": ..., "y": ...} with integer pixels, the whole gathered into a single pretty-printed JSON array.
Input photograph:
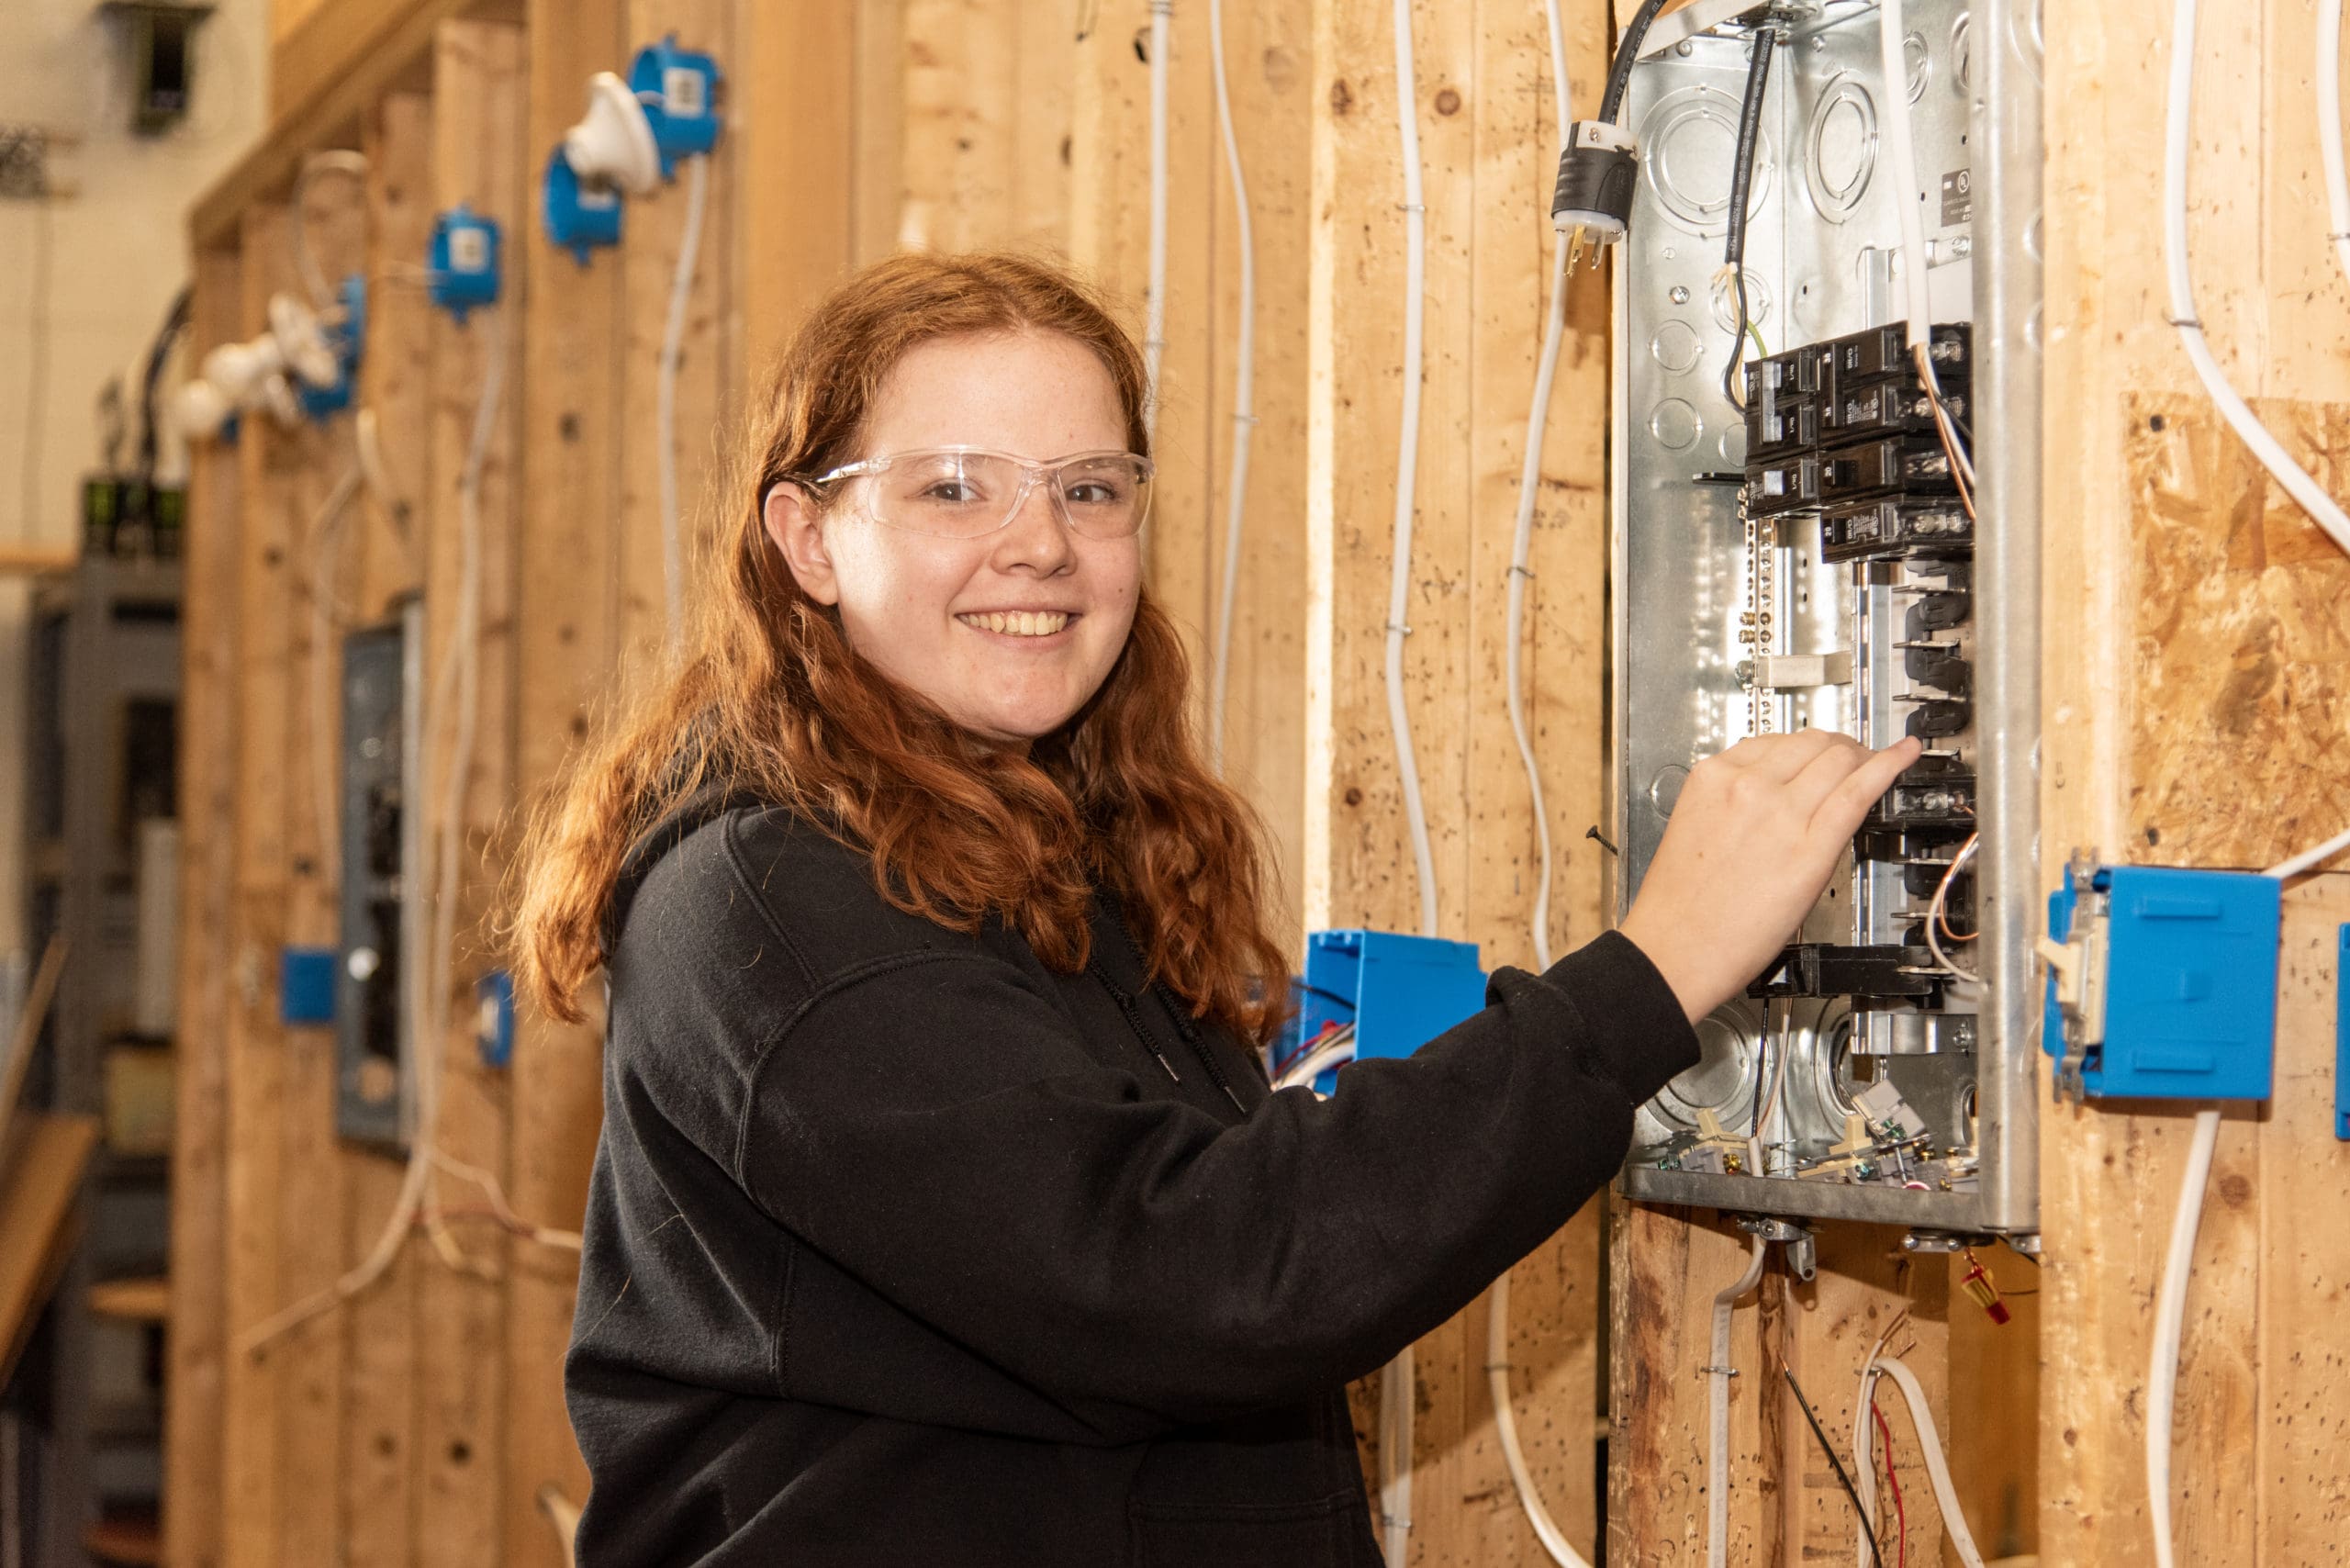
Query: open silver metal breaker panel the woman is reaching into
[{"x": 1804, "y": 556}]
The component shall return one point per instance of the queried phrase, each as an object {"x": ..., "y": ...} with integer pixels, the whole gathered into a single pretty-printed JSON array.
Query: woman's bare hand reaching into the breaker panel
[{"x": 1750, "y": 852}]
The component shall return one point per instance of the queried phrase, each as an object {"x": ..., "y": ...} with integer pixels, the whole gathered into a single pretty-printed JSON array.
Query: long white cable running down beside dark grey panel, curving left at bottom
[{"x": 429, "y": 977}]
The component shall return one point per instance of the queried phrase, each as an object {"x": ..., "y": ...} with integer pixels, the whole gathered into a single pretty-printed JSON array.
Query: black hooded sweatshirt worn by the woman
[{"x": 908, "y": 1252}]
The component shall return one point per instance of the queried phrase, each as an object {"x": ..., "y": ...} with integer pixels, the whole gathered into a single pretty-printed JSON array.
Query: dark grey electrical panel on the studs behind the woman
[{"x": 380, "y": 838}]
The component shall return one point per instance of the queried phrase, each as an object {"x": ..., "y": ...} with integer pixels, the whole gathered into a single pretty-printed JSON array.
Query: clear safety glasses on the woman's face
[{"x": 960, "y": 492}]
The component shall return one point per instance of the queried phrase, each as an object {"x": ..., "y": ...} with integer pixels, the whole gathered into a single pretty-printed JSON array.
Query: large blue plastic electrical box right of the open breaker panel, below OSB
[{"x": 2168, "y": 989}]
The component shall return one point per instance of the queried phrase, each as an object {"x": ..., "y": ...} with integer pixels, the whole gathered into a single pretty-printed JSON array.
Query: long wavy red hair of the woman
[{"x": 770, "y": 697}]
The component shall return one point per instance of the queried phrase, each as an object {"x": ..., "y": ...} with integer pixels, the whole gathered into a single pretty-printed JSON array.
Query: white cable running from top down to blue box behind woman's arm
[{"x": 1397, "y": 1386}]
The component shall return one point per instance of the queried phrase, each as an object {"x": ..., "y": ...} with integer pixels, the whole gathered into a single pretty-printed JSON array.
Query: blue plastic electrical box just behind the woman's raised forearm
[{"x": 1397, "y": 991}]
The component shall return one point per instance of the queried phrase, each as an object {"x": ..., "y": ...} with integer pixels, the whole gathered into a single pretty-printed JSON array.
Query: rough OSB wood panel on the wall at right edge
[{"x": 2241, "y": 645}]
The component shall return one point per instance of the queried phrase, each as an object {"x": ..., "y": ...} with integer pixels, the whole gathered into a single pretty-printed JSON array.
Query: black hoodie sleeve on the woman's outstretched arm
[{"x": 936, "y": 1130}]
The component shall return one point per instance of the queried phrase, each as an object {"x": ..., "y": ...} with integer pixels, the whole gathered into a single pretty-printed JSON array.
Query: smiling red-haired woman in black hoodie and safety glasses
[{"x": 944, "y": 1214}]
